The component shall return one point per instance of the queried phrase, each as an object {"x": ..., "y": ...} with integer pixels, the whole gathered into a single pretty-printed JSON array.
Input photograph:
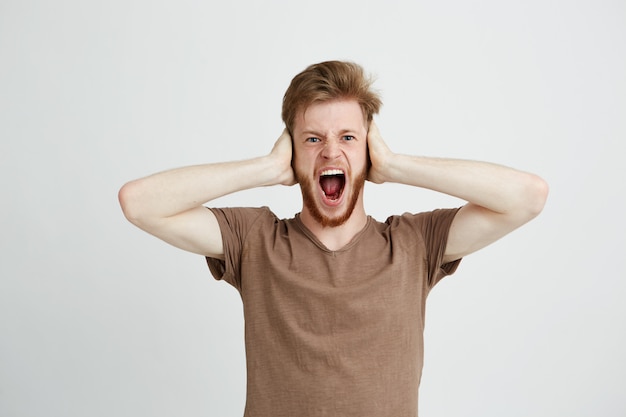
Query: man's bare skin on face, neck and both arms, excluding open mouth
[{"x": 169, "y": 204}]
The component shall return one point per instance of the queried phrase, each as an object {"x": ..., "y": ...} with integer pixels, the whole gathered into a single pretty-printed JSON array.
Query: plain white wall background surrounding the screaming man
[{"x": 99, "y": 319}]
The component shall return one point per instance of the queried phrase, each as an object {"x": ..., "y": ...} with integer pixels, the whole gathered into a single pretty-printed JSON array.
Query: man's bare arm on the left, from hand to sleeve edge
[{"x": 169, "y": 205}]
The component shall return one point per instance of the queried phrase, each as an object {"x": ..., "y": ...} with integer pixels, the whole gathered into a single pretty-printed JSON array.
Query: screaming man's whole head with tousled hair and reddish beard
[{"x": 327, "y": 110}]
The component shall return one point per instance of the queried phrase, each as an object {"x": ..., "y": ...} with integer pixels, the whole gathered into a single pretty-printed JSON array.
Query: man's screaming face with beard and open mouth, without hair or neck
[{"x": 330, "y": 159}]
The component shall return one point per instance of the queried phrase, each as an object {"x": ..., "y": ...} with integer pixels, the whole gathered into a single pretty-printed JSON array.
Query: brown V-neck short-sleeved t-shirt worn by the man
[{"x": 332, "y": 333}]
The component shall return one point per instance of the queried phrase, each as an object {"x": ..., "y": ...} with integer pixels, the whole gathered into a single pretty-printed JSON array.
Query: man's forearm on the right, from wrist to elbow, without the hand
[{"x": 495, "y": 187}]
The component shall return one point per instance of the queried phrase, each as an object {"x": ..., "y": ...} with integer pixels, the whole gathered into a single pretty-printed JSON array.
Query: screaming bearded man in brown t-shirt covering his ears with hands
[{"x": 333, "y": 300}]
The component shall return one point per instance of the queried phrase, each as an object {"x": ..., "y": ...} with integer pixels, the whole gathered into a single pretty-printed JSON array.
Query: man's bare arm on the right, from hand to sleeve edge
[{"x": 500, "y": 199}]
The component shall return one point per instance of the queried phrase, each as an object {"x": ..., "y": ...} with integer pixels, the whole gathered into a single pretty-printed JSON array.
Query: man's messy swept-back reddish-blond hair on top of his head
[{"x": 327, "y": 81}]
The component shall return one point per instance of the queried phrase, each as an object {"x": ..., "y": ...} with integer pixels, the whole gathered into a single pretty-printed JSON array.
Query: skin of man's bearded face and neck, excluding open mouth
[{"x": 331, "y": 136}]
